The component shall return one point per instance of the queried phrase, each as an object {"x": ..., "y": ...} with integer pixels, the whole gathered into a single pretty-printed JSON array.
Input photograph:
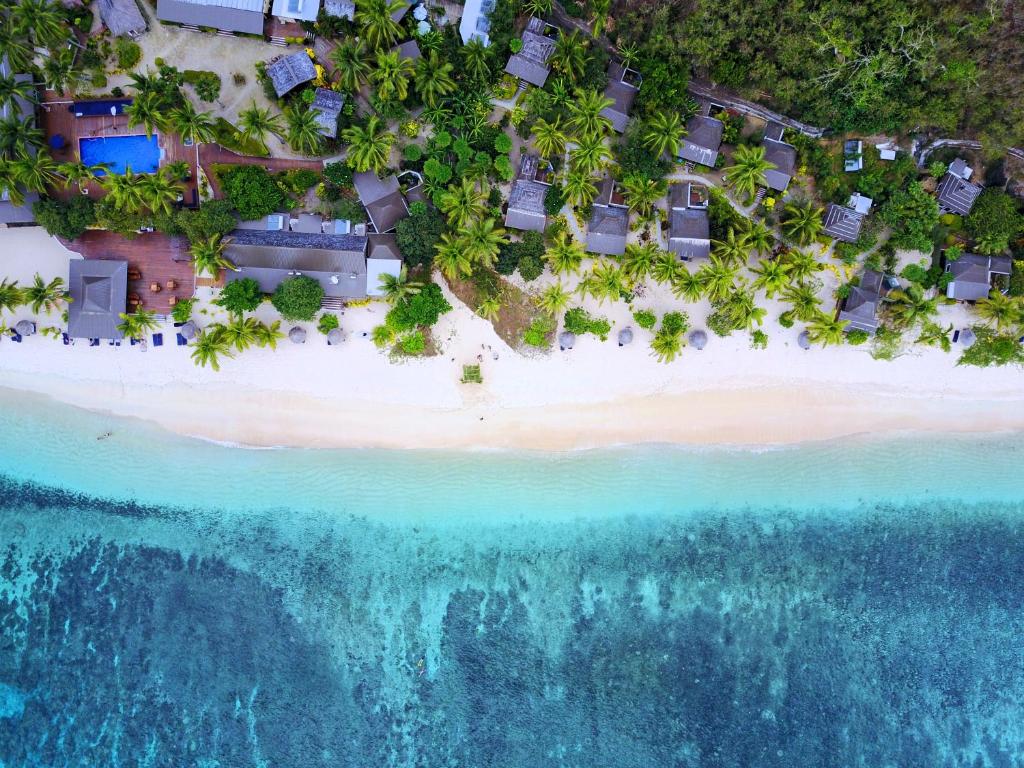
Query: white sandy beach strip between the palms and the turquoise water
[{"x": 596, "y": 395}]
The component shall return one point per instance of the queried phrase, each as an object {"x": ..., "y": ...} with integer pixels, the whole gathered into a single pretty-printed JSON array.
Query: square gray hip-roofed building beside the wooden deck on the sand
[{"x": 99, "y": 291}]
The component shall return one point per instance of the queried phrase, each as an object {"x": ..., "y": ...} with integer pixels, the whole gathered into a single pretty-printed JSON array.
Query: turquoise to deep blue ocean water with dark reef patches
[{"x": 170, "y": 603}]
